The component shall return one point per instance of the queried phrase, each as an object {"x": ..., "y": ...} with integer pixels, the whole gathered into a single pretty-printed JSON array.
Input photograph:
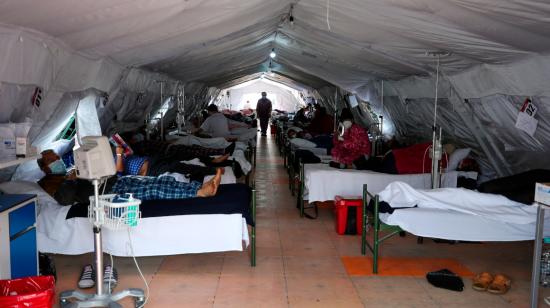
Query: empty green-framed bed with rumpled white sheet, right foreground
[{"x": 478, "y": 217}]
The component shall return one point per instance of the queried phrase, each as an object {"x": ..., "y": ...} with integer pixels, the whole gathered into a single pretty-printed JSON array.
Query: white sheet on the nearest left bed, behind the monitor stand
[{"x": 153, "y": 236}]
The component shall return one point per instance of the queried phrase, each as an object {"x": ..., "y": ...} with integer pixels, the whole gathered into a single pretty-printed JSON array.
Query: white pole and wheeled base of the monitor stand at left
[{"x": 102, "y": 298}]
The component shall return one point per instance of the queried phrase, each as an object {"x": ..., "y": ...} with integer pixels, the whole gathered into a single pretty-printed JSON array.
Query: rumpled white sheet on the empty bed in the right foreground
[{"x": 460, "y": 214}]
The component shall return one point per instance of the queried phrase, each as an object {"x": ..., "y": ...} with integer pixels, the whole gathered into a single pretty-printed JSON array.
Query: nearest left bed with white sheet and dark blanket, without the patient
[{"x": 167, "y": 227}]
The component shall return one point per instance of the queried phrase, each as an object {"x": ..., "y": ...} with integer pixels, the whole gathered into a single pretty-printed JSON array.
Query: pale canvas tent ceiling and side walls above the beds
[{"x": 122, "y": 50}]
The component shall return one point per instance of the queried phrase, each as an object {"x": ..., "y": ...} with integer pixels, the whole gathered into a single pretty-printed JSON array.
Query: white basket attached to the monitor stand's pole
[{"x": 114, "y": 215}]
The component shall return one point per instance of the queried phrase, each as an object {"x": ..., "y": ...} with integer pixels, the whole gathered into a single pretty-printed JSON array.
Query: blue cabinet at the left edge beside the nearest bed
[{"x": 18, "y": 252}]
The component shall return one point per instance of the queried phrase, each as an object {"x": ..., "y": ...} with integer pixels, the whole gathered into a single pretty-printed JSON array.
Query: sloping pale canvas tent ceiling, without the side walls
[{"x": 344, "y": 42}]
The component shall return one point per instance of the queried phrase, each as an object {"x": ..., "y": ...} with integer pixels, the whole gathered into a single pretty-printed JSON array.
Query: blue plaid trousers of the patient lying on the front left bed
[{"x": 155, "y": 188}]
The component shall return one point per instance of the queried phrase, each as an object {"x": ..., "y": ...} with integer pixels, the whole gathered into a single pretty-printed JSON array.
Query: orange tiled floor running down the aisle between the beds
[{"x": 299, "y": 264}]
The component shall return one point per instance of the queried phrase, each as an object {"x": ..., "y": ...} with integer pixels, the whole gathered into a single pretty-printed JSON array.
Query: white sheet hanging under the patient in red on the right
[{"x": 323, "y": 183}]
